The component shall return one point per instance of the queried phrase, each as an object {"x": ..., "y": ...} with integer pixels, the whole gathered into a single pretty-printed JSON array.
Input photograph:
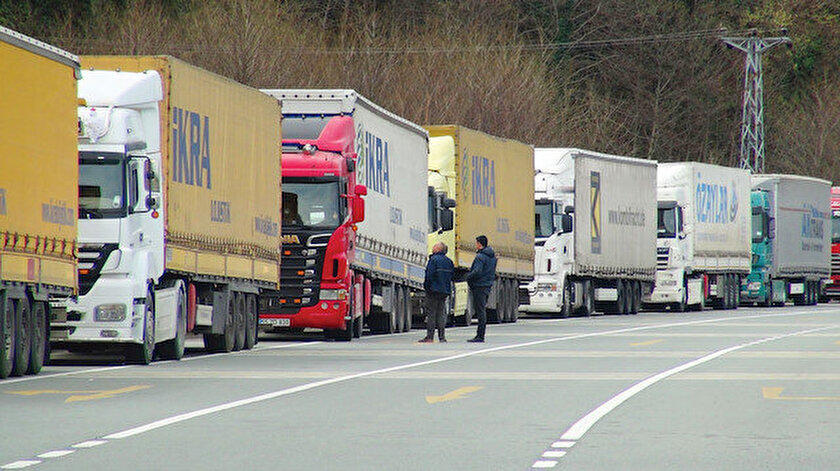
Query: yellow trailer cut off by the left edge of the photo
[{"x": 38, "y": 169}]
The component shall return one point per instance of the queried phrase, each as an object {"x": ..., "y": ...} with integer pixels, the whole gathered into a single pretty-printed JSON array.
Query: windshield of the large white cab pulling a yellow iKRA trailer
[{"x": 102, "y": 182}]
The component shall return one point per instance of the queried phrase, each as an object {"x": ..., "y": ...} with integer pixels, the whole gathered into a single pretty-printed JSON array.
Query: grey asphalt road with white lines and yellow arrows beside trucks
[{"x": 746, "y": 389}]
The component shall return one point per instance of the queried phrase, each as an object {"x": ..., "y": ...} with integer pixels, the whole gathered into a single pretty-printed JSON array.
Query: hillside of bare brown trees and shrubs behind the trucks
[{"x": 496, "y": 65}]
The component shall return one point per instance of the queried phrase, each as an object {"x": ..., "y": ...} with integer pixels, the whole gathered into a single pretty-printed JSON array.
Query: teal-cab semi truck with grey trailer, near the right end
[{"x": 790, "y": 240}]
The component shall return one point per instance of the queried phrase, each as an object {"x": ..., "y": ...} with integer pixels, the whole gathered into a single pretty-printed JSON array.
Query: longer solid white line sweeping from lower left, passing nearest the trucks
[{"x": 305, "y": 387}]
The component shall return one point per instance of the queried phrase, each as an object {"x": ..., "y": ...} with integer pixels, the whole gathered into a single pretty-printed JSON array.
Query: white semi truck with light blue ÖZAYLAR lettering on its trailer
[{"x": 703, "y": 235}]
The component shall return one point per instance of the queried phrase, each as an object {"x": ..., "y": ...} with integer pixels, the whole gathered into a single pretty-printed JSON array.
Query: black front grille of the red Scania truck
[{"x": 300, "y": 280}]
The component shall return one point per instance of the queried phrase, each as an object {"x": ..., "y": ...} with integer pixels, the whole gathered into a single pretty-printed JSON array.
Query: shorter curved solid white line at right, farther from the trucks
[{"x": 579, "y": 428}]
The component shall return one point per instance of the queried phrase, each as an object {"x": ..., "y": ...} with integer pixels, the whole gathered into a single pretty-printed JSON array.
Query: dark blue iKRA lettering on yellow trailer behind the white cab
[{"x": 190, "y": 148}]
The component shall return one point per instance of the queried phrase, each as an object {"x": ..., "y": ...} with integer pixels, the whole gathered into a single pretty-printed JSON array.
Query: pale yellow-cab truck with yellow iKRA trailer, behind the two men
[{"x": 491, "y": 181}]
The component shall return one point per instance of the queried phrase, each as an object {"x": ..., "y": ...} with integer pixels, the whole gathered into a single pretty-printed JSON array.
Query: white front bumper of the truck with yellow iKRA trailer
[{"x": 82, "y": 327}]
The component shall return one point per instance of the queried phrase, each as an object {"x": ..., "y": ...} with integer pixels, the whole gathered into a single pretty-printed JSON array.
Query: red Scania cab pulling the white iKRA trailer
[{"x": 321, "y": 206}]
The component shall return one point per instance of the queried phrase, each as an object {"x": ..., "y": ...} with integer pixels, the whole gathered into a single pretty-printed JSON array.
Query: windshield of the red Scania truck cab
[{"x": 312, "y": 204}]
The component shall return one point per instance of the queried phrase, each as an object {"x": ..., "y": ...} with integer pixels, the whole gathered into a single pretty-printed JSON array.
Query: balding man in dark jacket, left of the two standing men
[{"x": 438, "y": 285}]
